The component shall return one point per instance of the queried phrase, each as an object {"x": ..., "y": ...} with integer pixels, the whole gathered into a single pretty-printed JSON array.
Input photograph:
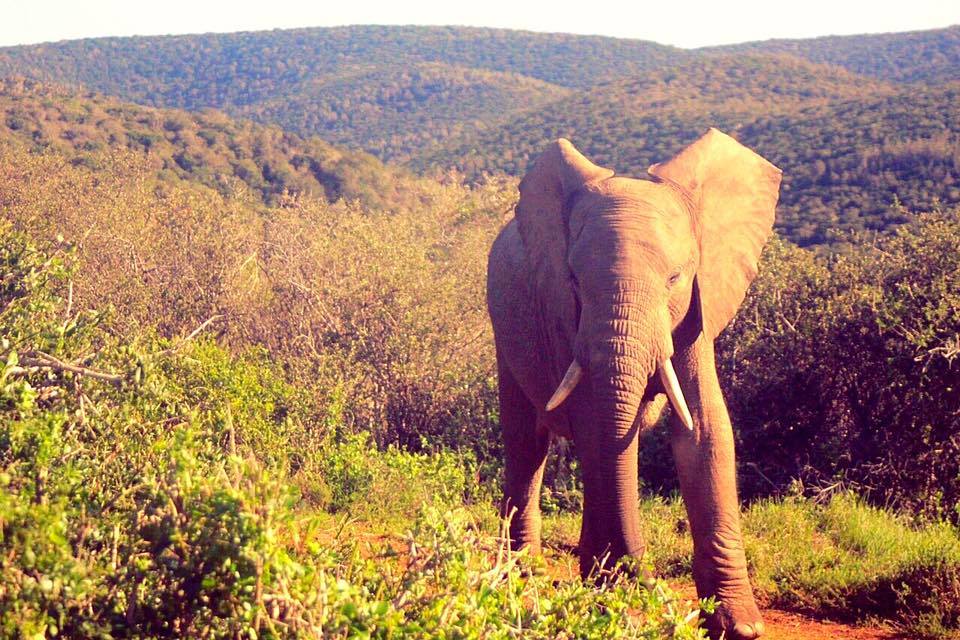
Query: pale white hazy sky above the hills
[{"x": 686, "y": 23}]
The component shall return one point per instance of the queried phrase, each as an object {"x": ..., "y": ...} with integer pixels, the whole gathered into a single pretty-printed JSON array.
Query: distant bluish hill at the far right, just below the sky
[{"x": 920, "y": 56}]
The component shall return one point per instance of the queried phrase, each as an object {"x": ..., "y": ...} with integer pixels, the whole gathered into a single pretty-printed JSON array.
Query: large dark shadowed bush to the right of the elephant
[{"x": 846, "y": 369}]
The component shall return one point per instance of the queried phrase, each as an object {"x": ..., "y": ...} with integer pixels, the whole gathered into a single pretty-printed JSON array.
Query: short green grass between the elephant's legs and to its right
[{"x": 842, "y": 558}]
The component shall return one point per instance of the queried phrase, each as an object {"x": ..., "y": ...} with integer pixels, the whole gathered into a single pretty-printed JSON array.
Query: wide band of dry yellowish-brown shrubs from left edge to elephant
[{"x": 381, "y": 313}]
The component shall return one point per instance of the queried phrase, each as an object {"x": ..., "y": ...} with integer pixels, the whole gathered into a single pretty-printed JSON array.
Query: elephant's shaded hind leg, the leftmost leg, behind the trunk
[{"x": 525, "y": 448}]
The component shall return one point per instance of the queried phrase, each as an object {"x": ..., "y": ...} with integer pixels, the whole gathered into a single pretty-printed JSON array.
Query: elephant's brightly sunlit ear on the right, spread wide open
[{"x": 736, "y": 193}]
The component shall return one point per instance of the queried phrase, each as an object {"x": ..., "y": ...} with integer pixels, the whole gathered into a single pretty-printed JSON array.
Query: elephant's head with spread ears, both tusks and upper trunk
[{"x": 622, "y": 267}]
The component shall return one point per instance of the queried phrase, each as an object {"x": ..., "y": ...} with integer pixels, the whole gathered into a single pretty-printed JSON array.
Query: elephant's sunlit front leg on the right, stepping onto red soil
[{"x": 707, "y": 470}]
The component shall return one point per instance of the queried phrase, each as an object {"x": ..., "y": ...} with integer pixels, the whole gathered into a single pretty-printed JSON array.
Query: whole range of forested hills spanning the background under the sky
[{"x": 834, "y": 113}]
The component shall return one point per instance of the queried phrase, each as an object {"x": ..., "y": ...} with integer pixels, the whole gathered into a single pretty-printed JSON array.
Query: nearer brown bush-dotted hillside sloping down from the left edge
[{"x": 207, "y": 147}]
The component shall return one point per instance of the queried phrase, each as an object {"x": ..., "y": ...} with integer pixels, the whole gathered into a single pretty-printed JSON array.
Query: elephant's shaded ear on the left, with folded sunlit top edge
[{"x": 544, "y": 191}]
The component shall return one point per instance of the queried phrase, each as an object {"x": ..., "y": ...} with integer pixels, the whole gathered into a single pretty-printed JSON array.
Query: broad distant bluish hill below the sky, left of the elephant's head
[{"x": 376, "y": 88}]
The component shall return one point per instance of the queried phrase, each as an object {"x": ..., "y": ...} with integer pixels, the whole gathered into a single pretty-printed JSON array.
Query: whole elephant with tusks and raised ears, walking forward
[{"x": 606, "y": 294}]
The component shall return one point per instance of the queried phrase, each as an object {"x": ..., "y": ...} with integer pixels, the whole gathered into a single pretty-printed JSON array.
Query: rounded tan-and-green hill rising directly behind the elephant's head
[{"x": 612, "y": 119}]
